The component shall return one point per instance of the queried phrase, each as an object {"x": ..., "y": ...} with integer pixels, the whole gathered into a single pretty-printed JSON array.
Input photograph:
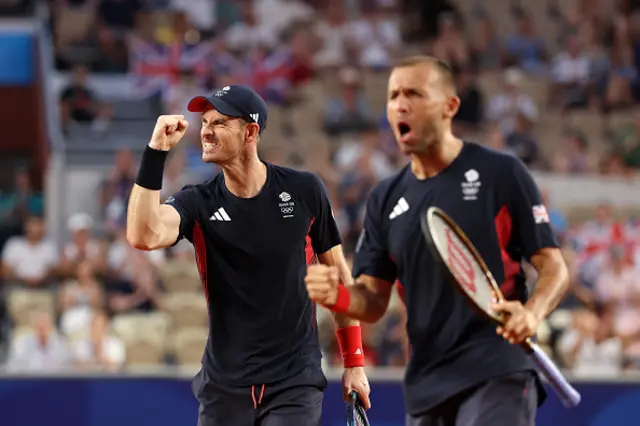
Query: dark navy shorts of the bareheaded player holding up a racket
[{"x": 506, "y": 401}]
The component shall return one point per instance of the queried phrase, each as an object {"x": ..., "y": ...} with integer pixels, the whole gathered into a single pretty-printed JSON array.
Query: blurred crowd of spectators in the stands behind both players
[{"x": 563, "y": 98}]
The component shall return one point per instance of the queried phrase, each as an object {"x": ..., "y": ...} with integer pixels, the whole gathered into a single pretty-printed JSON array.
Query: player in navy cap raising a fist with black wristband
[{"x": 255, "y": 226}]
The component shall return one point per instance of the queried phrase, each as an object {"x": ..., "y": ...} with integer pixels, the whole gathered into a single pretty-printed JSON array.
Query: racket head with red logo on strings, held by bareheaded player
[{"x": 466, "y": 268}]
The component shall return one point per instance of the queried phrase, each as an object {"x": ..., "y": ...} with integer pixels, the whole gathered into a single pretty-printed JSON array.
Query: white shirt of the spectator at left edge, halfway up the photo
[{"x": 29, "y": 261}]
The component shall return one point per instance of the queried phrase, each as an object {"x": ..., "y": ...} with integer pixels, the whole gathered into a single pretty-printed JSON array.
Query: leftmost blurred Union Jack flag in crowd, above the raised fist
[{"x": 156, "y": 67}]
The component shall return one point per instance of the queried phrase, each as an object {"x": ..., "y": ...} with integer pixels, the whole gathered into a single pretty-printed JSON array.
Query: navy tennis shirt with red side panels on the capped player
[{"x": 252, "y": 255}]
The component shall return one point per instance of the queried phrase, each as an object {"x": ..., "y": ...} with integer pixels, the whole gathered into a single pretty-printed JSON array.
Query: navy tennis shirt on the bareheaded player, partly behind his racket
[{"x": 494, "y": 199}]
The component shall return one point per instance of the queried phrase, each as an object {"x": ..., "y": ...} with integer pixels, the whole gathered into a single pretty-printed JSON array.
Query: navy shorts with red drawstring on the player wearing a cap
[{"x": 292, "y": 402}]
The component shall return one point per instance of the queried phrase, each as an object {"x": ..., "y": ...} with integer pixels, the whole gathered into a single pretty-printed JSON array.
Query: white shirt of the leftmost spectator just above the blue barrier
[{"x": 27, "y": 353}]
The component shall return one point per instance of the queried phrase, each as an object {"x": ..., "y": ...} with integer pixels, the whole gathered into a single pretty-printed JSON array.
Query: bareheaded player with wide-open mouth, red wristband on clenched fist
[{"x": 461, "y": 372}]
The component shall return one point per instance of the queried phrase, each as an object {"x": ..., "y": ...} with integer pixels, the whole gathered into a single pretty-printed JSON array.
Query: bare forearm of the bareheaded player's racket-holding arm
[{"x": 550, "y": 288}]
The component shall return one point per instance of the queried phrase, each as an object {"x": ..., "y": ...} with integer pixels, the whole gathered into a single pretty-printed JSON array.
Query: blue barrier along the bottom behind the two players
[{"x": 162, "y": 401}]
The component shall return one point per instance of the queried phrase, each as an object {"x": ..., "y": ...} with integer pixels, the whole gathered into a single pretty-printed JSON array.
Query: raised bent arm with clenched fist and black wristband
[{"x": 151, "y": 225}]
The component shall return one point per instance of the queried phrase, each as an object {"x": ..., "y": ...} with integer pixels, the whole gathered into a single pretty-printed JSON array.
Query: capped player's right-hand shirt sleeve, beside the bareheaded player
[{"x": 324, "y": 231}]
